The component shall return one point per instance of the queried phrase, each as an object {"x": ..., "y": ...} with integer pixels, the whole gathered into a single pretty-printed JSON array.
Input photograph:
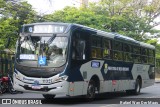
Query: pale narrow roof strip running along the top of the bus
[{"x": 110, "y": 35}]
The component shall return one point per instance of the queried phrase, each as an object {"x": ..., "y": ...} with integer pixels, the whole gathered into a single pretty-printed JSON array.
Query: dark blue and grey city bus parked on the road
[{"x": 75, "y": 60}]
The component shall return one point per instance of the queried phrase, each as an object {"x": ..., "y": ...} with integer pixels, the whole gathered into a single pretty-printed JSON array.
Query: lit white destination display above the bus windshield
[{"x": 44, "y": 29}]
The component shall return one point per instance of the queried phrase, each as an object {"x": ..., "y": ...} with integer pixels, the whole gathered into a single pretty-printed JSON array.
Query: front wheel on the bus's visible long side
[{"x": 91, "y": 90}]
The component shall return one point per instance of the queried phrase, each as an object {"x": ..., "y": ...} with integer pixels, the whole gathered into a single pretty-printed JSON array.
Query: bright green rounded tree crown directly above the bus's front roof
[{"x": 82, "y": 16}]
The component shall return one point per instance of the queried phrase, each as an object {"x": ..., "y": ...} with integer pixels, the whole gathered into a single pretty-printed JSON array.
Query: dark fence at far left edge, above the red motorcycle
[{"x": 6, "y": 62}]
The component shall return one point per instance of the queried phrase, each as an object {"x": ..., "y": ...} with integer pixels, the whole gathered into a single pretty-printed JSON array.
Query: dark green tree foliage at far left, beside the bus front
[{"x": 13, "y": 15}]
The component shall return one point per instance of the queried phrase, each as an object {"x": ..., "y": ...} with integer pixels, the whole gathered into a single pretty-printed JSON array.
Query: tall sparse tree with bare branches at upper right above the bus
[{"x": 129, "y": 17}]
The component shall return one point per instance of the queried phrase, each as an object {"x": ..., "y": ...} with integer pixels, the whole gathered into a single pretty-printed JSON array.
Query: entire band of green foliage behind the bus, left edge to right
[{"x": 131, "y": 18}]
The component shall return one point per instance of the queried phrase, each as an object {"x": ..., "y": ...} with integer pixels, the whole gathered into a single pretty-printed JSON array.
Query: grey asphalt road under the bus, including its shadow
[{"x": 119, "y": 99}]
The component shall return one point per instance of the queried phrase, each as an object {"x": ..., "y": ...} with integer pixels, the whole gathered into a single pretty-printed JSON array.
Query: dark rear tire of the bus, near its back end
[{"x": 137, "y": 89}]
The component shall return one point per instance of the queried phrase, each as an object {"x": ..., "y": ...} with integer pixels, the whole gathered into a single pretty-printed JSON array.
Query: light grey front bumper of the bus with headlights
[{"x": 60, "y": 87}]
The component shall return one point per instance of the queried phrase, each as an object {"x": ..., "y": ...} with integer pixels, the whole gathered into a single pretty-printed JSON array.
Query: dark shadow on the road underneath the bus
[{"x": 106, "y": 98}]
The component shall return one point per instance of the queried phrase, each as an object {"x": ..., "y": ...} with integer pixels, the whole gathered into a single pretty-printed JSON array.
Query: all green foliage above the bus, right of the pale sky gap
[{"x": 133, "y": 18}]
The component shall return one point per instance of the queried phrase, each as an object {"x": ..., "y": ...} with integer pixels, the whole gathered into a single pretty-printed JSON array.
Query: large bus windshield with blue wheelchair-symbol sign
[{"x": 41, "y": 51}]
